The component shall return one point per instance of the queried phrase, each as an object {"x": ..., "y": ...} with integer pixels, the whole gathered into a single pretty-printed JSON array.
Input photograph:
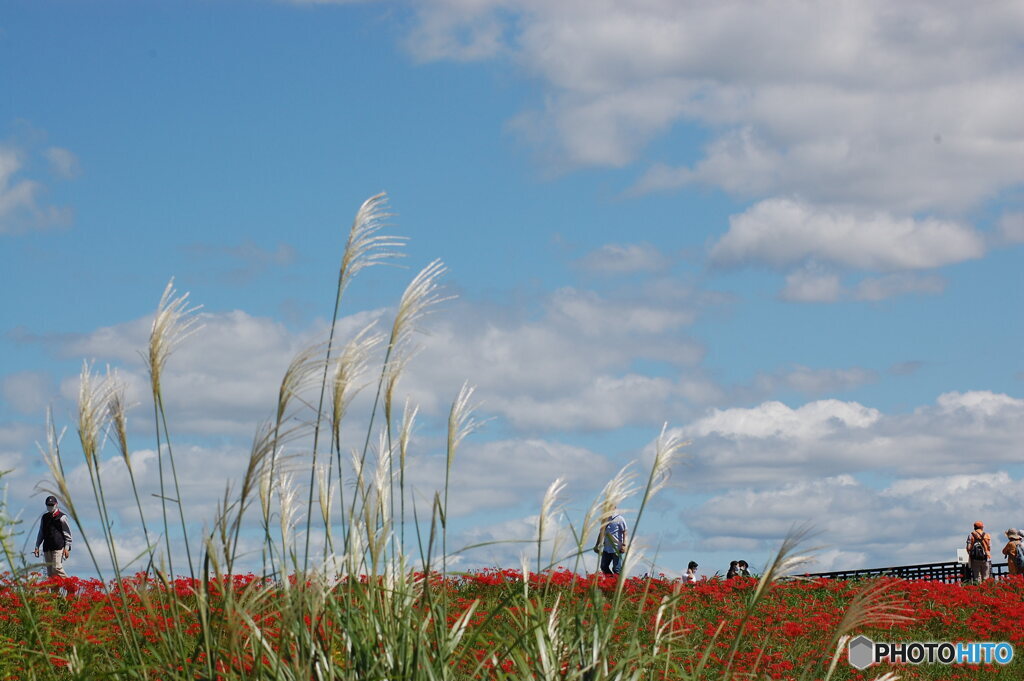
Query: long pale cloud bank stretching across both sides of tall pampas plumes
[{"x": 572, "y": 367}]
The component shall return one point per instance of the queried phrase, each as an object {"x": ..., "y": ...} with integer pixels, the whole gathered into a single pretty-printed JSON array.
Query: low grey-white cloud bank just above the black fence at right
[{"x": 907, "y": 522}]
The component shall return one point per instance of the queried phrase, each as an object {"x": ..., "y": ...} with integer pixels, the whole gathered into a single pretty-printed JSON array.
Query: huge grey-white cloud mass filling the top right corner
[{"x": 910, "y": 107}]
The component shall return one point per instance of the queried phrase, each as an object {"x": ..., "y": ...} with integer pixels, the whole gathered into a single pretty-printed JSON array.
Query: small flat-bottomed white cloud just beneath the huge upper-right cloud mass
[{"x": 783, "y": 232}]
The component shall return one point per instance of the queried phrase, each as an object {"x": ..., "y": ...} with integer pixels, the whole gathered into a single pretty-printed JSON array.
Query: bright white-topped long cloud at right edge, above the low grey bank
[{"x": 962, "y": 434}]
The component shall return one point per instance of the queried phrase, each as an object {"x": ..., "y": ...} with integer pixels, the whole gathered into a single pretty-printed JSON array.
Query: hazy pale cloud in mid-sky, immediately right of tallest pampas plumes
[{"x": 574, "y": 366}]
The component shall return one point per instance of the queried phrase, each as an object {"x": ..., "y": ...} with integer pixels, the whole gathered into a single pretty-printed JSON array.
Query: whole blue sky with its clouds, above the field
[{"x": 792, "y": 233}]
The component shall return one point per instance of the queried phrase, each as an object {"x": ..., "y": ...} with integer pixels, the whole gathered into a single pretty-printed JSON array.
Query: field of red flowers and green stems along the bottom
[{"x": 708, "y": 630}]
